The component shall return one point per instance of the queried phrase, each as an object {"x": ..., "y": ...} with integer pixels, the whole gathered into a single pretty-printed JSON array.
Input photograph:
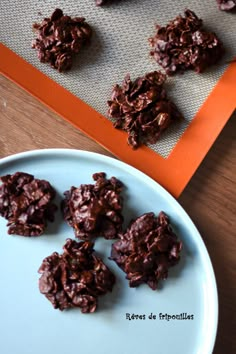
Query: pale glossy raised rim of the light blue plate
[{"x": 210, "y": 343}]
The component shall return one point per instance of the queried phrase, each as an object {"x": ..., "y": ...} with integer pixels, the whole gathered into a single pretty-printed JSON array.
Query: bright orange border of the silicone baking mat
[{"x": 174, "y": 172}]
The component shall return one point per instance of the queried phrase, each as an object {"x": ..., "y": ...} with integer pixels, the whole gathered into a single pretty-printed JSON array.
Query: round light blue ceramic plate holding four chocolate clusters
[{"x": 171, "y": 320}]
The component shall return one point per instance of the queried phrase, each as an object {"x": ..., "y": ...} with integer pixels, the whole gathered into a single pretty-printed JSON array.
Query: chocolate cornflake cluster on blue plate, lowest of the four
[{"x": 76, "y": 278}]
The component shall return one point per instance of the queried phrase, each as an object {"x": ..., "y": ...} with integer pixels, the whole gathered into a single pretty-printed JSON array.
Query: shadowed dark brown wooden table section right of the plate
[{"x": 210, "y": 200}]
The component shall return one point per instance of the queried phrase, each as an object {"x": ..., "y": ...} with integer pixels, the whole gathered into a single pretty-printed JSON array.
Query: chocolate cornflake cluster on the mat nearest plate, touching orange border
[{"x": 142, "y": 109}]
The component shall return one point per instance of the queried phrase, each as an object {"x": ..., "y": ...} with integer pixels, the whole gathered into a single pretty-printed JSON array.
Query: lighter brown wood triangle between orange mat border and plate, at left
[{"x": 26, "y": 124}]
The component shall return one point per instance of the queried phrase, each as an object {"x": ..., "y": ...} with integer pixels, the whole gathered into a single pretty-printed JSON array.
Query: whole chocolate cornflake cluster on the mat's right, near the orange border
[{"x": 184, "y": 44}]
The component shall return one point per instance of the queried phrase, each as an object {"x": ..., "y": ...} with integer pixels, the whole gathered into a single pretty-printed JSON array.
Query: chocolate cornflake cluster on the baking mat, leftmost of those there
[{"x": 59, "y": 38}]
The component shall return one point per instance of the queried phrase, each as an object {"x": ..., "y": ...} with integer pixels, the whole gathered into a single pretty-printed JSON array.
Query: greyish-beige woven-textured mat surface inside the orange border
[{"x": 120, "y": 46}]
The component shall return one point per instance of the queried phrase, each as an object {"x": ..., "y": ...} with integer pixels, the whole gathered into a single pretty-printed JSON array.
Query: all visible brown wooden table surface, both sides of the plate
[{"x": 209, "y": 199}]
